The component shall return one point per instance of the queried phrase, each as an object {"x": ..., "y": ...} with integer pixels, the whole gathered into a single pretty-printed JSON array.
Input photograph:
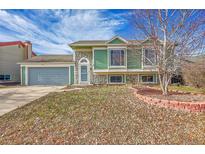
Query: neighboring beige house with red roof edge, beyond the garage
[{"x": 10, "y": 54}]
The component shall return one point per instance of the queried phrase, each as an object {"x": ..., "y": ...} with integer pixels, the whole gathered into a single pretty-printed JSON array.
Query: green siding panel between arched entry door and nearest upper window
[{"x": 100, "y": 59}]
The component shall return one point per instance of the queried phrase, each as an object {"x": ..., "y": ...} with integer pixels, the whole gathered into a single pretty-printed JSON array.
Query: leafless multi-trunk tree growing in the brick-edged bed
[{"x": 174, "y": 35}]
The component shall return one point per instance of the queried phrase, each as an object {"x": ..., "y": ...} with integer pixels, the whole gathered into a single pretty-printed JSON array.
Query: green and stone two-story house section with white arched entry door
[{"x": 114, "y": 61}]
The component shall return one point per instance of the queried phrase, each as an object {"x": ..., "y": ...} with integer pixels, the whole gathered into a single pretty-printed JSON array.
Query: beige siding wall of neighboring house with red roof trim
[{"x": 9, "y": 57}]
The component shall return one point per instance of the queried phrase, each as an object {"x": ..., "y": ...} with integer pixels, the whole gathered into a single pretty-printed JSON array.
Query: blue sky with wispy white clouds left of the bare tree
[{"x": 51, "y": 30}]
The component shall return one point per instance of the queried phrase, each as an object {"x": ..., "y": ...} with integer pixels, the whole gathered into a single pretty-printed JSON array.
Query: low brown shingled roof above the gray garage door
[{"x": 51, "y": 58}]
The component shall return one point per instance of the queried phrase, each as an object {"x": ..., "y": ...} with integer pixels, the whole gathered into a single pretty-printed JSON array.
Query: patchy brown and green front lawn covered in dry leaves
[{"x": 99, "y": 115}]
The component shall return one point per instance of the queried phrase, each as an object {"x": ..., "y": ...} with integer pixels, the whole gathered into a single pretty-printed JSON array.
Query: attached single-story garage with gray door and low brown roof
[{"x": 48, "y": 70}]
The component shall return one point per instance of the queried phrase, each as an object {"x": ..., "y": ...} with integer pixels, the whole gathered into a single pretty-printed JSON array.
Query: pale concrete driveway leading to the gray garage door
[{"x": 12, "y": 98}]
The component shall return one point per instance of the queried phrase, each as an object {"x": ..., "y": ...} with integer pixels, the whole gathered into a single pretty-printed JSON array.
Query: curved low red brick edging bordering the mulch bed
[{"x": 186, "y": 106}]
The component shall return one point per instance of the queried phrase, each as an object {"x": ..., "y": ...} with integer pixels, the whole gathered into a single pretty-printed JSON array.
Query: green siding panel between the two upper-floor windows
[{"x": 134, "y": 59}]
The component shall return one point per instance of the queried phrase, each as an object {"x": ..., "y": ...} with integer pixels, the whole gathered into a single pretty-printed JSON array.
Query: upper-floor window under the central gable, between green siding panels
[{"x": 117, "y": 57}]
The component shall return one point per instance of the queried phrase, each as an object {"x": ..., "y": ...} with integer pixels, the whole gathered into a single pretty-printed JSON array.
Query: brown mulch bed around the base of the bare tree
[{"x": 177, "y": 96}]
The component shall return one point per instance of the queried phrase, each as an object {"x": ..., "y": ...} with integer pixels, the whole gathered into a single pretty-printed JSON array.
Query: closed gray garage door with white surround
[{"x": 48, "y": 76}]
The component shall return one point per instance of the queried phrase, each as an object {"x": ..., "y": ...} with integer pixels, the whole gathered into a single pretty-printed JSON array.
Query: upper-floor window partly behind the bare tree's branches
[{"x": 149, "y": 57}]
